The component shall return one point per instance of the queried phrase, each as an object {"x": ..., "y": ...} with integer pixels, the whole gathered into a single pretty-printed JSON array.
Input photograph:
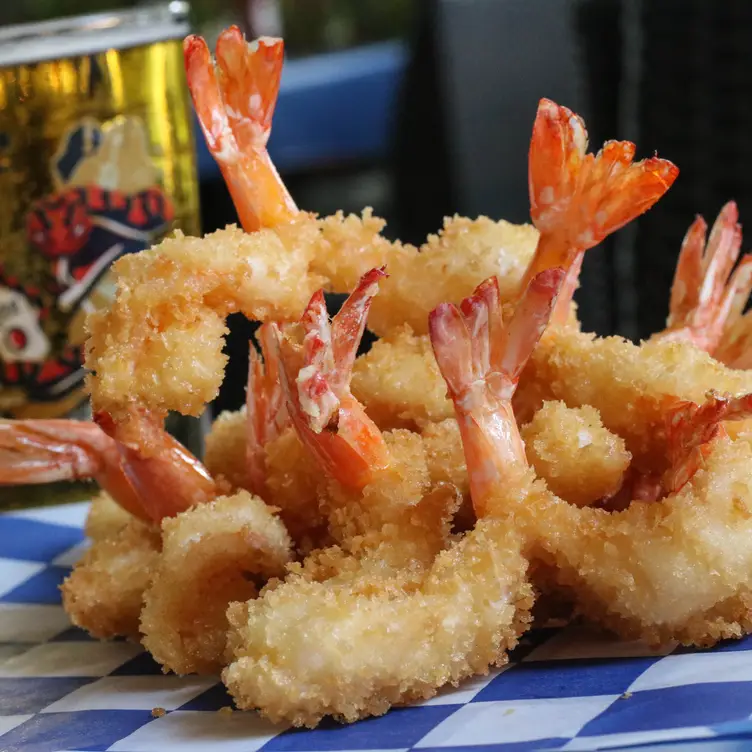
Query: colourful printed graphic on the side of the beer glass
[{"x": 107, "y": 202}]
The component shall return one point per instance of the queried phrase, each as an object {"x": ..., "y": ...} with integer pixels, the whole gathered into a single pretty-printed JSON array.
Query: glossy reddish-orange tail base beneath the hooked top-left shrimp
[{"x": 164, "y": 478}]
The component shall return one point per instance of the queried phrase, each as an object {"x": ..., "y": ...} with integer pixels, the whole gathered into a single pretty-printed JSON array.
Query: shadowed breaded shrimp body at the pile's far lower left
[{"x": 104, "y": 593}]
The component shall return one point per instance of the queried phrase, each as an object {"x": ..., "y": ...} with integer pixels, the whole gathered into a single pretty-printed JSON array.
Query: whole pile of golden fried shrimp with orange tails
[{"x": 370, "y": 528}]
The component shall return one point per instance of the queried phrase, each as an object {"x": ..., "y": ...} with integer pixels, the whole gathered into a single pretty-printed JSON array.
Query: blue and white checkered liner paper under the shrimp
[{"x": 568, "y": 689}]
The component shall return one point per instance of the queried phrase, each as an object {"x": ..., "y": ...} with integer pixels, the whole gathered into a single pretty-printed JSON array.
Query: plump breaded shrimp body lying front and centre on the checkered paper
[{"x": 352, "y": 646}]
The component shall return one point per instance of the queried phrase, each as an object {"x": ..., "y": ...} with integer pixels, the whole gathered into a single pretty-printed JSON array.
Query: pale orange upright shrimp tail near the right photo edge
[{"x": 706, "y": 298}]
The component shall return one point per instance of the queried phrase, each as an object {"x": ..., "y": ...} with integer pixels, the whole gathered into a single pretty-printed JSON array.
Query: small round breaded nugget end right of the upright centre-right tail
[{"x": 580, "y": 460}]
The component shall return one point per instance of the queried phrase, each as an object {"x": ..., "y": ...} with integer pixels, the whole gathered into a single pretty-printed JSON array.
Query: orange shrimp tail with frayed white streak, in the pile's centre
[{"x": 315, "y": 376}]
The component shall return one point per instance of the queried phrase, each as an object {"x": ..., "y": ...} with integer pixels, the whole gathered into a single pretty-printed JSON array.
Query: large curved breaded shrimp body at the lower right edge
[{"x": 676, "y": 569}]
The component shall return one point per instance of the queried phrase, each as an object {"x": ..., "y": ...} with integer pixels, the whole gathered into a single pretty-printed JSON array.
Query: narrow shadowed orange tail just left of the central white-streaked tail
[{"x": 266, "y": 412}]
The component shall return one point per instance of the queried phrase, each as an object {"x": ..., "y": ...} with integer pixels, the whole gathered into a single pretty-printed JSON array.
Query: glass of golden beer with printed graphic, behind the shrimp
[{"x": 97, "y": 160}]
